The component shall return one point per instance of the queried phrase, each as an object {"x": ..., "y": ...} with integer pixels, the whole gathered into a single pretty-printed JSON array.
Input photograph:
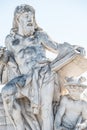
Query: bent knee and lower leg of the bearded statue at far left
[{"x": 11, "y": 106}]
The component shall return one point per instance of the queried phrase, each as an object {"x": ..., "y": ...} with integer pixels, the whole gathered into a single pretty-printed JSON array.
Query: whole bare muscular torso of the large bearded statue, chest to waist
[{"x": 27, "y": 51}]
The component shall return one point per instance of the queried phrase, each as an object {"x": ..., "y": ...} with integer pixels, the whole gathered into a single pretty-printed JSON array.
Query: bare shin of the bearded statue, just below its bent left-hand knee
[{"x": 13, "y": 111}]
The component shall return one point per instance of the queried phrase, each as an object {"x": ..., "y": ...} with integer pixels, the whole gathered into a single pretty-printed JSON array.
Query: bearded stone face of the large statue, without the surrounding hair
[{"x": 26, "y": 23}]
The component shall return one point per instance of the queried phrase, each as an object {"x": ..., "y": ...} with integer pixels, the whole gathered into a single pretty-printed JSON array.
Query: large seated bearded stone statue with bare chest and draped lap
[{"x": 29, "y": 94}]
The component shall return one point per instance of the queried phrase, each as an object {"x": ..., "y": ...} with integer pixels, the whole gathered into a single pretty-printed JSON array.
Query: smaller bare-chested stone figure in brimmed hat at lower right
[{"x": 71, "y": 113}]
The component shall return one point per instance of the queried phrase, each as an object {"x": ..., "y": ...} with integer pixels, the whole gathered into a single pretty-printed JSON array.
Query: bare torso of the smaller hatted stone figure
[{"x": 72, "y": 114}]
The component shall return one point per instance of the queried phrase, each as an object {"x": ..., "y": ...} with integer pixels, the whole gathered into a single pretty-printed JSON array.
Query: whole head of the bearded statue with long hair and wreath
[{"x": 24, "y": 18}]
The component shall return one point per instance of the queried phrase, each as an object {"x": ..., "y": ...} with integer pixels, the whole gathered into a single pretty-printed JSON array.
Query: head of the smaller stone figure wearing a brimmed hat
[{"x": 76, "y": 87}]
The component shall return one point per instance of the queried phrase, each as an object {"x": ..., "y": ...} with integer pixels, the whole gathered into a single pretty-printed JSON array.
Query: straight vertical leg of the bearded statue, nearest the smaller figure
[{"x": 47, "y": 91}]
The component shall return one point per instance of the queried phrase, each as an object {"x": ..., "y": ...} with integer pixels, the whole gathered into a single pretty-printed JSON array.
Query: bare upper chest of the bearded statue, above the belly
[{"x": 22, "y": 47}]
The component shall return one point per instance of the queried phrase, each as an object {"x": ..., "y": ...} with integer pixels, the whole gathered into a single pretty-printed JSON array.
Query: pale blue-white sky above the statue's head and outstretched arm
[{"x": 63, "y": 20}]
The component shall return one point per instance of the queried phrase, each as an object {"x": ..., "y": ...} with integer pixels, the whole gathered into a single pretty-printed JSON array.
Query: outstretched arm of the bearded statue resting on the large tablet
[{"x": 60, "y": 49}]
